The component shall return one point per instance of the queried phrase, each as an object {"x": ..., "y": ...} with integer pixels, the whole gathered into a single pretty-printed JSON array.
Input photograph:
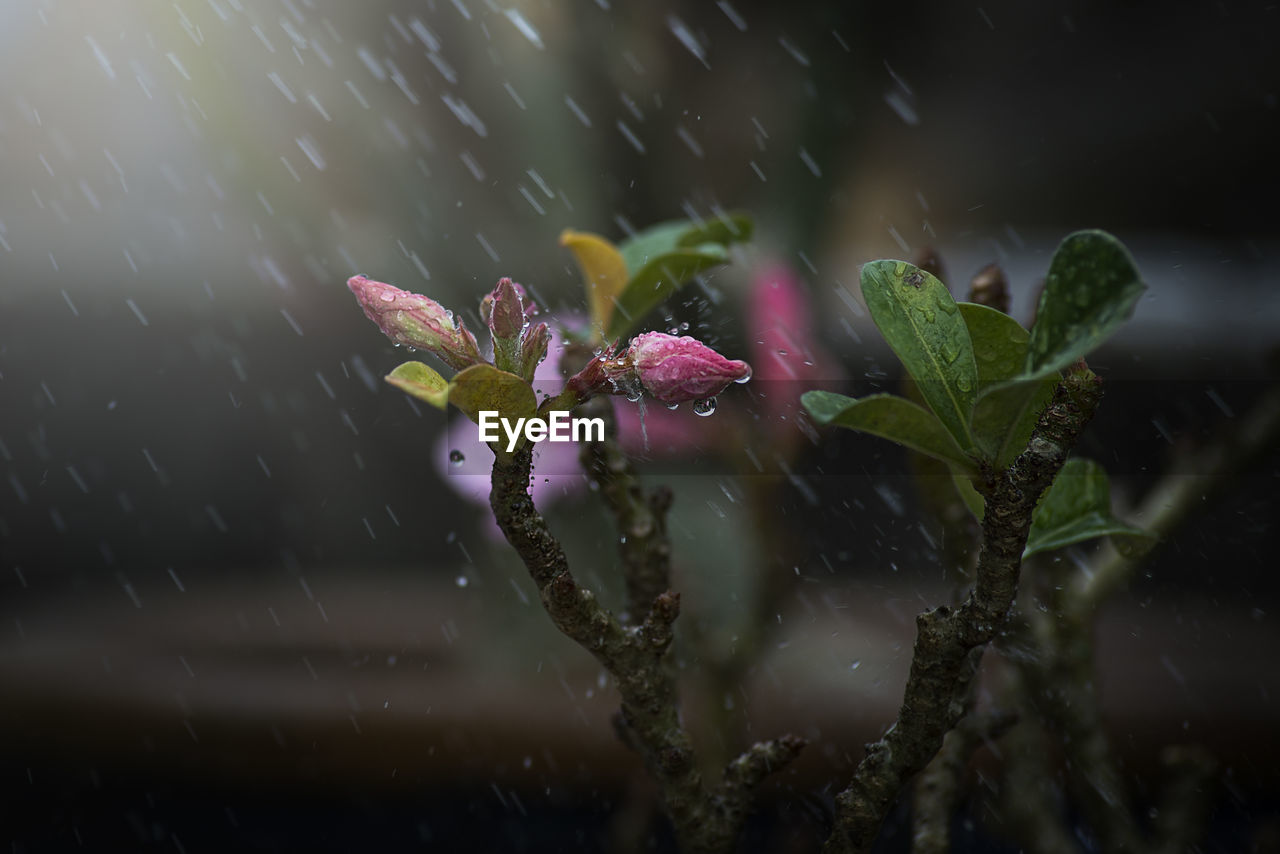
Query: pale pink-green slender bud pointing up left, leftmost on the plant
[{"x": 417, "y": 322}]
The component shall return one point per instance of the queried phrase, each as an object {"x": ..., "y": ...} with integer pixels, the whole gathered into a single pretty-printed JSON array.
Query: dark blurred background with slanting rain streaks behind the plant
[{"x": 246, "y": 604}]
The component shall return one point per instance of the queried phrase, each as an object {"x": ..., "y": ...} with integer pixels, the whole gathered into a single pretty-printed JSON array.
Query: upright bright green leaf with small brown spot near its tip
[{"x": 920, "y": 321}]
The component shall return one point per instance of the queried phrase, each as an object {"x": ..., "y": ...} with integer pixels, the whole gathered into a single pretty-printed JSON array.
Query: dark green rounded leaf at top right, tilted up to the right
[{"x": 1091, "y": 290}]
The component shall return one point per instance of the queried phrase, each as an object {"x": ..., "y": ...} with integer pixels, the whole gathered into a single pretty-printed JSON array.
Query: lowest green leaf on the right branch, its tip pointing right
[{"x": 1077, "y": 508}]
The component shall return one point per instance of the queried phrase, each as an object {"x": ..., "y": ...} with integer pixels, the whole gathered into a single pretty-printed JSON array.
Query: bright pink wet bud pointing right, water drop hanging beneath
[{"x": 675, "y": 371}]
